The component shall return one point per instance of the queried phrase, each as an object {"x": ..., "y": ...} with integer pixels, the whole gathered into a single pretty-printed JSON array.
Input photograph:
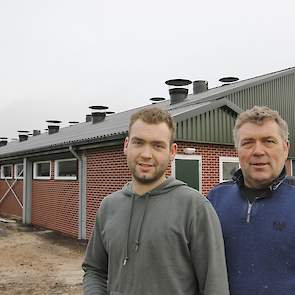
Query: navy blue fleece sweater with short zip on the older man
[{"x": 259, "y": 238}]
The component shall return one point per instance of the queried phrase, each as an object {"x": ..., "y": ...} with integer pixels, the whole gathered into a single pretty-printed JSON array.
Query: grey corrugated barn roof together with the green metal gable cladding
[{"x": 263, "y": 90}]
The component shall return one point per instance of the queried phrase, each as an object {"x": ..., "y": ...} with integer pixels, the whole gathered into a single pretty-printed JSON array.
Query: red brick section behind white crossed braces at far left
[{"x": 9, "y": 205}]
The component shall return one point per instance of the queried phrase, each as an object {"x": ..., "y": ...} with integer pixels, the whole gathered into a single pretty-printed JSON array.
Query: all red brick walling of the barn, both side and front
[{"x": 55, "y": 203}]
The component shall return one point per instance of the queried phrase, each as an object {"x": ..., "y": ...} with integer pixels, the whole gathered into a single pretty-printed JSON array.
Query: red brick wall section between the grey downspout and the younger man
[{"x": 107, "y": 172}]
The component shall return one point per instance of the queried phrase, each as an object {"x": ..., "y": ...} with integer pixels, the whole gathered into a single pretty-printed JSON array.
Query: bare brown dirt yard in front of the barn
[{"x": 37, "y": 261}]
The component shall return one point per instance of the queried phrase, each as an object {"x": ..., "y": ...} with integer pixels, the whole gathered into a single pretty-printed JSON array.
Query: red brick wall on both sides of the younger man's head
[{"x": 107, "y": 172}]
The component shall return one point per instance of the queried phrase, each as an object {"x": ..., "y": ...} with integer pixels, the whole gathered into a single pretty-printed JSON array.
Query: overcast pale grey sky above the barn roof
[{"x": 57, "y": 57}]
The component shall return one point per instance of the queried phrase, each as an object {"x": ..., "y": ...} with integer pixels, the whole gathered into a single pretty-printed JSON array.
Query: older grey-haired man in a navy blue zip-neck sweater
[{"x": 256, "y": 208}]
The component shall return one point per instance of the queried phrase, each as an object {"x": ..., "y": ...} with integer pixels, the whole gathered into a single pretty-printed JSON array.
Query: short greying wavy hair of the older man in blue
[{"x": 257, "y": 115}]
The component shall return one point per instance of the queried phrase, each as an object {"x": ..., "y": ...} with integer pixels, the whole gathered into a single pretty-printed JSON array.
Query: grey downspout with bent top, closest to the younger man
[{"x": 82, "y": 193}]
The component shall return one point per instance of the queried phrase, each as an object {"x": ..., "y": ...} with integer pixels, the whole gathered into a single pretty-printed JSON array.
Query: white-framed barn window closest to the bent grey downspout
[{"x": 66, "y": 169}]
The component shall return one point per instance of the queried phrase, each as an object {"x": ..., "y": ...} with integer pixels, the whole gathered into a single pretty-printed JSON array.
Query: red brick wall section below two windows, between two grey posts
[{"x": 55, "y": 204}]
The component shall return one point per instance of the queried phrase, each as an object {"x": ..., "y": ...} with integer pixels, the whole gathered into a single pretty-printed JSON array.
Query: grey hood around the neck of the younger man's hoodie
[{"x": 169, "y": 184}]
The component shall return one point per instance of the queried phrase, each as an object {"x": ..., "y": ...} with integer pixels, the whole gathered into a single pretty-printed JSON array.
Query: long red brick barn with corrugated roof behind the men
[{"x": 58, "y": 178}]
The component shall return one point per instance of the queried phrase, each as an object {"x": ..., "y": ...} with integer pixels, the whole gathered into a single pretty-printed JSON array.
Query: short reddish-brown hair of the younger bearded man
[{"x": 154, "y": 115}]
